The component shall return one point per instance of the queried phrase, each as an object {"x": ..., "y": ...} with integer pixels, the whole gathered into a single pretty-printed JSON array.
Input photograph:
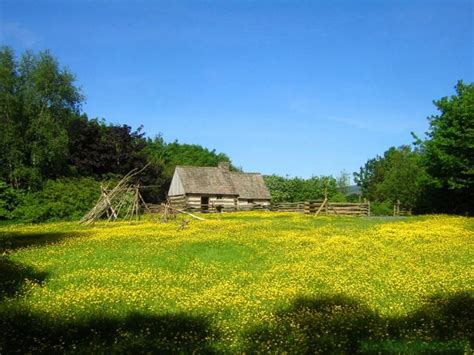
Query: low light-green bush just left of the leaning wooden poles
[{"x": 64, "y": 199}]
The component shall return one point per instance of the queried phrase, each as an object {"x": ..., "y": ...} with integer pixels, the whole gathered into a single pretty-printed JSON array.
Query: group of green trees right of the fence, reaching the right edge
[{"x": 434, "y": 174}]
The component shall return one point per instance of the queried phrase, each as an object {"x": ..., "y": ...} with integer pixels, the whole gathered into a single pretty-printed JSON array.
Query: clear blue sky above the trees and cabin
[{"x": 295, "y": 88}]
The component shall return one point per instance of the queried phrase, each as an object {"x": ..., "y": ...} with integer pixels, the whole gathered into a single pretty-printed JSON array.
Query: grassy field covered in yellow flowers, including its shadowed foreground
[{"x": 239, "y": 282}]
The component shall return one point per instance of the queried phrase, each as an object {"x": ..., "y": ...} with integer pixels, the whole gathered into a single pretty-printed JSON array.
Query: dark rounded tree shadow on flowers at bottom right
[{"x": 337, "y": 324}]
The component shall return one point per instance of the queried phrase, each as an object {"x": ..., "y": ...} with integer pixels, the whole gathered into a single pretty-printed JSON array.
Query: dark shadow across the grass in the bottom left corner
[{"x": 24, "y": 333}]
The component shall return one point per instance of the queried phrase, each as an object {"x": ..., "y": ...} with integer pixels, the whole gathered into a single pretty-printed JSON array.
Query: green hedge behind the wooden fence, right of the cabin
[{"x": 285, "y": 189}]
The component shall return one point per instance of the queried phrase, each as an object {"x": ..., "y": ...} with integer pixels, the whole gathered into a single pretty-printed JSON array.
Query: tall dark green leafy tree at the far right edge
[{"x": 449, "y": 152}]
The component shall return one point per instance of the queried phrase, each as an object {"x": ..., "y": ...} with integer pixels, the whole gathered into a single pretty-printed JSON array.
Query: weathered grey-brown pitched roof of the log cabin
[{"x": 221, "y": 181}]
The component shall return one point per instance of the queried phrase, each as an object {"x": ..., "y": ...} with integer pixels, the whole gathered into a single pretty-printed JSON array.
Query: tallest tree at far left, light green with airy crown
[{"x": 37, "y": 98}]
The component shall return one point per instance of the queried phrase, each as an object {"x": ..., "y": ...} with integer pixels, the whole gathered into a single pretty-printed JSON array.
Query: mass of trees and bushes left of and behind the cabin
[{"x": 54, "y": 157}]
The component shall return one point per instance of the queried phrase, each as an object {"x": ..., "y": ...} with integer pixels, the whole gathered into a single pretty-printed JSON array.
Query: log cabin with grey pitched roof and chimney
[{"x": 217, "y": 188}]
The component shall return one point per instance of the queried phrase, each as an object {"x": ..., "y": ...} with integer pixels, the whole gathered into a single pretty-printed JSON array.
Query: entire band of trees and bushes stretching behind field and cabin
[{"x": 54, "y": 157}]
